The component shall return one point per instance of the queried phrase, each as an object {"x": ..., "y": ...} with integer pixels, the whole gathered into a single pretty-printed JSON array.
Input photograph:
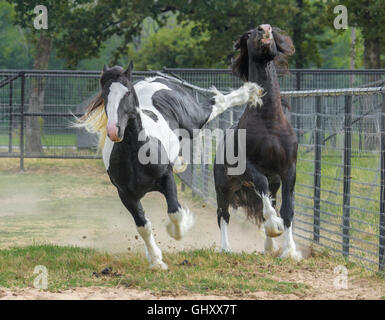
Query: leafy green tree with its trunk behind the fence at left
[{"x": 77, "y": 30}]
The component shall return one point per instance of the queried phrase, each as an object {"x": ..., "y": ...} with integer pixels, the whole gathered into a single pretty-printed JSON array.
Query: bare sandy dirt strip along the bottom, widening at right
[{"x": 321, "y": 282}]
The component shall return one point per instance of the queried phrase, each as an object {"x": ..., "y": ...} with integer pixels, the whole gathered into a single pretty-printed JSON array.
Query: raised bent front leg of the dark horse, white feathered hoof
[{"x": 273, "y": 223}]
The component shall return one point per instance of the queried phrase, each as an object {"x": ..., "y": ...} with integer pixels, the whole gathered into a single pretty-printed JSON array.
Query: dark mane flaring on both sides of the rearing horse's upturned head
[{"x": 285, "y": 49}]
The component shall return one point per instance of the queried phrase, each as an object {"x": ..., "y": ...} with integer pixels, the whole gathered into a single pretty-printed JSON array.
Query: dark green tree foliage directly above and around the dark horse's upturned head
[{"x": 225, "y": 20}]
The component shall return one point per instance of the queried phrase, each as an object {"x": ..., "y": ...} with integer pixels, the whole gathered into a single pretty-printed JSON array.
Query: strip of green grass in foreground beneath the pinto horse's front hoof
[{"x": 209, "y": 271}]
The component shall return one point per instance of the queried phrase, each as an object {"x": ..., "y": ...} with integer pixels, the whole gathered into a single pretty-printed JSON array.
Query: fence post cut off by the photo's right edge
[{"x": 381, "y": 251}]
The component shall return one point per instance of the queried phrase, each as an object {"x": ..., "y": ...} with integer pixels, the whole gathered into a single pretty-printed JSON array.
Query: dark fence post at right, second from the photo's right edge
[{"x": 347, "y": 176}]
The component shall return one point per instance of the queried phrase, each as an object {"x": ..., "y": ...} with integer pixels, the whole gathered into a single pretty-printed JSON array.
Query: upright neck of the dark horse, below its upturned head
[{"x": 264, "y": 74}]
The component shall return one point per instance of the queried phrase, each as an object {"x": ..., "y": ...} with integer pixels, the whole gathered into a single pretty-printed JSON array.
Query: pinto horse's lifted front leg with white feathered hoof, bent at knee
[{"x": 181, "y": 219}]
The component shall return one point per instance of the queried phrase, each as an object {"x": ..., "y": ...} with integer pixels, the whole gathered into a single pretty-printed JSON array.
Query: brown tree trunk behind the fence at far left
[{"x": 36, "y": 98}]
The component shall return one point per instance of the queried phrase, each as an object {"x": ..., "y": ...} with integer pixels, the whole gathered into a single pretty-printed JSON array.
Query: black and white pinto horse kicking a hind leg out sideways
[{"x": 138, "y": 121}]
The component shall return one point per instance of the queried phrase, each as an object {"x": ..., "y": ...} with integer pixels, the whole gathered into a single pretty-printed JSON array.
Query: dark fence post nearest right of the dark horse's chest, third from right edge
[{"x": 317, "y": 170}]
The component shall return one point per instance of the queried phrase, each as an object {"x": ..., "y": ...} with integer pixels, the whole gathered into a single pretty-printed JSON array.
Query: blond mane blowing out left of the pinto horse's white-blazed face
[{"x": 94, "y": 120}]
